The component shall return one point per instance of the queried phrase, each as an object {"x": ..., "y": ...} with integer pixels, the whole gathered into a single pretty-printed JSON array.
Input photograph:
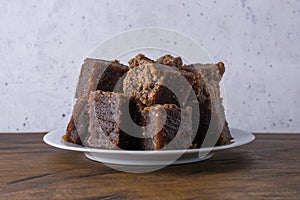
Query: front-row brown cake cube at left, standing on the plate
[{"x": 109, "y": 116}]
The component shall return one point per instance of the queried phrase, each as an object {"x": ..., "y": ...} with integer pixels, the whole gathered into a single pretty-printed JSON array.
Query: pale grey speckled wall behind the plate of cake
[{"x": 42, "y": 44}]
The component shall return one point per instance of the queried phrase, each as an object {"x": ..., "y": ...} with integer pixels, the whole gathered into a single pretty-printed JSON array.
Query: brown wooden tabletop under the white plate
[{"x": 268, "y": 168}]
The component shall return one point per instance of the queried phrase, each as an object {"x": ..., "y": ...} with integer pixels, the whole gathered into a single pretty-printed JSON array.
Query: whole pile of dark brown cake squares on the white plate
[{"x": 148, "y": 105}]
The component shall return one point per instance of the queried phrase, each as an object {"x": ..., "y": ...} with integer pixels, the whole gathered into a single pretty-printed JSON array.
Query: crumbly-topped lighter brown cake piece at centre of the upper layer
[{"x": 153, "y": 83}]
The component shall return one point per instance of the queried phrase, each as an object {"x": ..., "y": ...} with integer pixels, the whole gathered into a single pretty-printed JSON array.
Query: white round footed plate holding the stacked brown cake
[{"x": 146, "y": 158}]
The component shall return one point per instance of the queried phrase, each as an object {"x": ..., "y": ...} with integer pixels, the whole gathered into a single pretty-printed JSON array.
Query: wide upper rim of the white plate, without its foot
[{"x": 58, "y": 143}]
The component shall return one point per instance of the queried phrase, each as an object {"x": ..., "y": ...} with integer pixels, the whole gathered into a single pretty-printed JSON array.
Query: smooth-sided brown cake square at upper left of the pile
[{"x": 100, "y": 75}]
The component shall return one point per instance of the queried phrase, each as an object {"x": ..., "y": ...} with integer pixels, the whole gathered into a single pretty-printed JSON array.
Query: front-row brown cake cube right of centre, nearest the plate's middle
[{"x": 168, "y": 127}]
